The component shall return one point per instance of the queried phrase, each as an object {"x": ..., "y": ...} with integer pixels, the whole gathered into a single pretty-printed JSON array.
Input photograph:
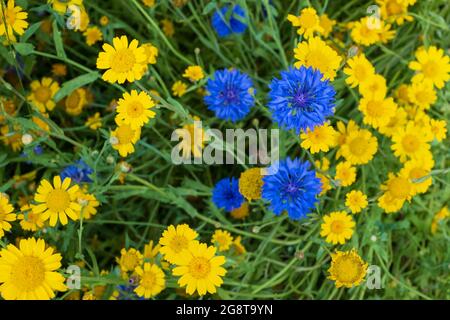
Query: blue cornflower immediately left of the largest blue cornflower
[{"x": 229, "y": 94}]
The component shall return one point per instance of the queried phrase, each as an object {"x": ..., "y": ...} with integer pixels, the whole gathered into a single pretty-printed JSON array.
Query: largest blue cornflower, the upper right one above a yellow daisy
[{"x": 301, "y": 99}]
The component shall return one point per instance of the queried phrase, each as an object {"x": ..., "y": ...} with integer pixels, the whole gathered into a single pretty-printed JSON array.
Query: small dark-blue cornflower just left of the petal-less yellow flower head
[{"x": 226, "y": 194}]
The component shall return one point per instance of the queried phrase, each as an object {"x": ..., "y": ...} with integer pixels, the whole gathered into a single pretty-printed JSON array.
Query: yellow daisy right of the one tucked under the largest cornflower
[{"x": 360, "y": 147}]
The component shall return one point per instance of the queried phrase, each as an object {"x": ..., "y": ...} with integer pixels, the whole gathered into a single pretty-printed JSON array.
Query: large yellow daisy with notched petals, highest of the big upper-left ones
[{"x": 122, "y": 61}]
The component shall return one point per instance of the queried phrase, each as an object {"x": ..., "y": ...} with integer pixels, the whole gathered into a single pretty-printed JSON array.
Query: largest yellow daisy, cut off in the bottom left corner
[{"x": 29, "y": 272}]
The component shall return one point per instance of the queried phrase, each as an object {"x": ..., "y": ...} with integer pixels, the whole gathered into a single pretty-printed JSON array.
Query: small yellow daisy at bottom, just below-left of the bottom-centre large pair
[{"x": 151, "y": 280}]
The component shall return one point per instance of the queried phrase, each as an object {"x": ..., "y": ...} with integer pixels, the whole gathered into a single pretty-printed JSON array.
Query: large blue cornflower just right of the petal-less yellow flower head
[{"x": 290, "y": 186}]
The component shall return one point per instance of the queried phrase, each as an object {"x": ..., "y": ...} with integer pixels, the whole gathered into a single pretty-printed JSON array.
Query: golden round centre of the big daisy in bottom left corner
[{"x": 28, "y": 273}]
